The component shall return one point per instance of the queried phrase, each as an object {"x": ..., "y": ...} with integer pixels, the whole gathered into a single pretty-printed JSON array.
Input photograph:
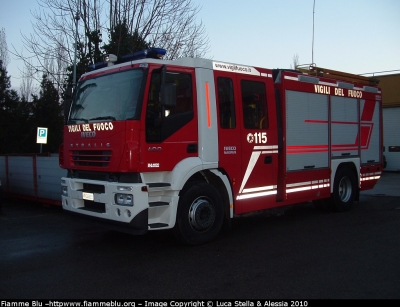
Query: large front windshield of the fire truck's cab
[{"x": 108, "y": 97}]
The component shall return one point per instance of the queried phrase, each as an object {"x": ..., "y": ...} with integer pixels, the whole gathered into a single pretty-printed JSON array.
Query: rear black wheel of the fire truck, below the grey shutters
[{"x": 344, "y": 190}]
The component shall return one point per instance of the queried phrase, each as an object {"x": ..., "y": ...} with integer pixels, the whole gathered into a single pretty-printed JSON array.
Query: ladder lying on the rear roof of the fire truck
[{"x": 337, "y": 75}]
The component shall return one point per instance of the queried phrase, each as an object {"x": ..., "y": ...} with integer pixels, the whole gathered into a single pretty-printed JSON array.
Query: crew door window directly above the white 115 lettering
[{"x": 254, "y": 104}]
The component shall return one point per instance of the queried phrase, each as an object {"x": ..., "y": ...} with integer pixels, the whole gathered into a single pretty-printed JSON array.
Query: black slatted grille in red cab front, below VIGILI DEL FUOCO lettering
[{"x": 97, "y": 158}]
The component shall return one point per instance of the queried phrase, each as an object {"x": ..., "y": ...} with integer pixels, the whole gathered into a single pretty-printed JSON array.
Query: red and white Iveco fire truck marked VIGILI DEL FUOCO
[{"x": 189, "y": 144}]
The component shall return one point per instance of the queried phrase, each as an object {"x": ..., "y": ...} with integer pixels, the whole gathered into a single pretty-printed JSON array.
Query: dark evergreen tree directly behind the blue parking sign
[{"x": 47, "y": 112}]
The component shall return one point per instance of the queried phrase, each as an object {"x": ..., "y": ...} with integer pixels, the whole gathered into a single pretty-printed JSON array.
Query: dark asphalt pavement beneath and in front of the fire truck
[{"x": 304, "y": 253}]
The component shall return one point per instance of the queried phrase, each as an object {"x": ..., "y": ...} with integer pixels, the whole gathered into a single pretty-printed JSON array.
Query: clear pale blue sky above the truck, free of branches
[{"x": 355, "y": 36}]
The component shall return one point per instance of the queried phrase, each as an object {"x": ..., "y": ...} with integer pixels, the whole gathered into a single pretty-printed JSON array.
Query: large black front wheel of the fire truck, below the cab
[{"x": 200, "y": 214}]
